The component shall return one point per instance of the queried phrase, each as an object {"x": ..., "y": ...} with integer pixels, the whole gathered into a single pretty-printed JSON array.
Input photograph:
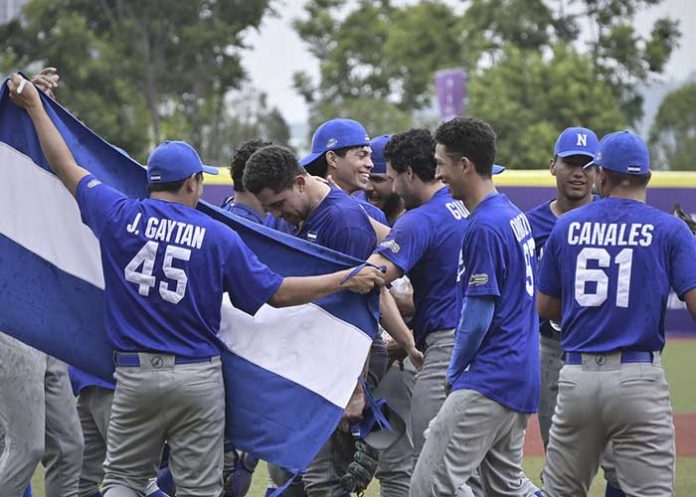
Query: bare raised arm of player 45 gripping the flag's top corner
[{"x": 24, "y": 94}]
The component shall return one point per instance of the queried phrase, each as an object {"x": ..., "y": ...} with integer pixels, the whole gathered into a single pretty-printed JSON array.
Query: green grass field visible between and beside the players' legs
[{"x": 678, "y": 359}]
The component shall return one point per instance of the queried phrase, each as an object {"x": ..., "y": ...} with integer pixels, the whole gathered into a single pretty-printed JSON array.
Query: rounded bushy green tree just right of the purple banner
[{"x": 528, "y": 100}]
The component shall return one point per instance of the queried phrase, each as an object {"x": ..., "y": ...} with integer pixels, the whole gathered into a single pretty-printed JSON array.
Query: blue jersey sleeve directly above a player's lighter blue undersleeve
[{"x": 484, "y": 263}]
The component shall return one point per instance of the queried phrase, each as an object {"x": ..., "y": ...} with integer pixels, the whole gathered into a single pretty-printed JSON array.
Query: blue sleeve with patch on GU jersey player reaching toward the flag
[{"x": 406, "y": 243}]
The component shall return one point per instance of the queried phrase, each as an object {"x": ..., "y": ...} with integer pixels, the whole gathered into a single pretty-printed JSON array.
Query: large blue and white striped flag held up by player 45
[{"x": 288, "y": 373}]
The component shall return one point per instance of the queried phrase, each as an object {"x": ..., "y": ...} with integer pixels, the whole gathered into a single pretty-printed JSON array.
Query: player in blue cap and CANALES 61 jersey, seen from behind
[{"x": 606, "y": 275}]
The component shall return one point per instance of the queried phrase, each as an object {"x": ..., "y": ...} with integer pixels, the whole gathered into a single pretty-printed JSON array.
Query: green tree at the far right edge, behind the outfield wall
[{"x": 673, "y": 134}]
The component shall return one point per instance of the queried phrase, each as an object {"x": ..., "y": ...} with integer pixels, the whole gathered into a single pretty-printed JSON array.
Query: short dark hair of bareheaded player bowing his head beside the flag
[{"x": 273, "y": 167}]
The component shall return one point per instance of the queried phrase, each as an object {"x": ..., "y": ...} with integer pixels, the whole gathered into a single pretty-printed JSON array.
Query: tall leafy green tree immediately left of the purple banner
[{"x": 376, "y": 62}]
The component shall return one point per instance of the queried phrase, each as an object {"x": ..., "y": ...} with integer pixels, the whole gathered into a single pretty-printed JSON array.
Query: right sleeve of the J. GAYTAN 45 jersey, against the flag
[{"x": 248, "y": 281}]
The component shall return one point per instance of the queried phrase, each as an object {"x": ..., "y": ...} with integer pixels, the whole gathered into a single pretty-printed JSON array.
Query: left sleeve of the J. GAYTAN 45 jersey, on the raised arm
[{"x": 96, "y": 201}]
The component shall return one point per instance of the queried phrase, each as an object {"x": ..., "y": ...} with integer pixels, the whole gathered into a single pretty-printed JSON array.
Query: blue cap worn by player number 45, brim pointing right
[{"x": 173, "y": 161}]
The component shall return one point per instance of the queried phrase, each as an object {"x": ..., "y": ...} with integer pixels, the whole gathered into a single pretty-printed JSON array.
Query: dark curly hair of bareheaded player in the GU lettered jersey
[{"x": 414, "y": 148}]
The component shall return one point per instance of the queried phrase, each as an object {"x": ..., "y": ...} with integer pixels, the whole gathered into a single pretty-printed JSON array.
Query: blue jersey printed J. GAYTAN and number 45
[{"x": 166, "y": 267}]
